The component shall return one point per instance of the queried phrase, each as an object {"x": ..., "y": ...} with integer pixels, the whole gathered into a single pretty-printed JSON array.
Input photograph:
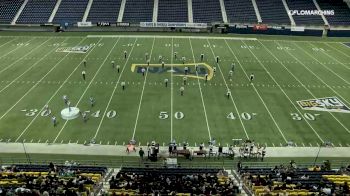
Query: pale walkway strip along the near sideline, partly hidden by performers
[{"x": 118, "y": 150}]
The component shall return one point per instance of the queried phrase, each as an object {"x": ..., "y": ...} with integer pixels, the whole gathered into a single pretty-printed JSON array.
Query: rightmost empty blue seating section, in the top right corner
[{"x": 341, "y": 11}]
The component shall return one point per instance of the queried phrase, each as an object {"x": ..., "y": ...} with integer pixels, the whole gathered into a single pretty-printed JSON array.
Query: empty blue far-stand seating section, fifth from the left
[{"x": 138, "y": 11}]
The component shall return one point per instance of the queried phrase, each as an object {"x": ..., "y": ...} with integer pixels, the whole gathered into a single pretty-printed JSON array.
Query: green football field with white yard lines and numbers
[{"x": 300, "y": 92}]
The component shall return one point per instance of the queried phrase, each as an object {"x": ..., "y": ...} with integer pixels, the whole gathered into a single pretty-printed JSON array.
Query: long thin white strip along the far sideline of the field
[{"x": 165, "y": 36}]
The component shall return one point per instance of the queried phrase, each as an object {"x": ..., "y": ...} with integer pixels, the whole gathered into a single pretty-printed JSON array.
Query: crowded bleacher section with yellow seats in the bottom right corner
[{"x": 291, "y": 180}]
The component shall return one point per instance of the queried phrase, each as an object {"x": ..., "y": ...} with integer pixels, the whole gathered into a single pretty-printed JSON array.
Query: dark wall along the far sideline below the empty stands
[{"x": 217, "y": 28}]
